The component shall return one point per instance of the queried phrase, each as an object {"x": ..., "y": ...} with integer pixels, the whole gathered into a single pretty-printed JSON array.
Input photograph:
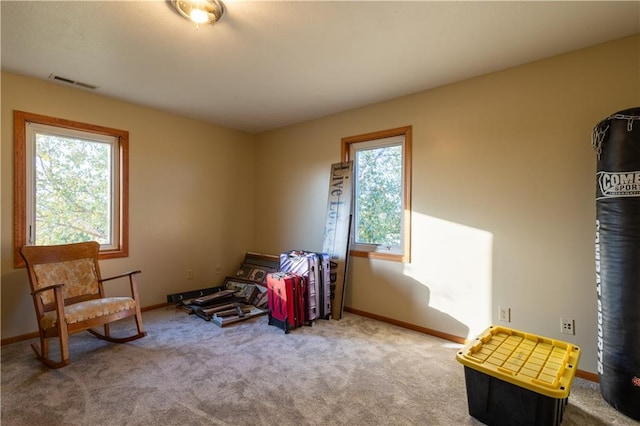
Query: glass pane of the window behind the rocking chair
[{"x": 73, "y": 183}]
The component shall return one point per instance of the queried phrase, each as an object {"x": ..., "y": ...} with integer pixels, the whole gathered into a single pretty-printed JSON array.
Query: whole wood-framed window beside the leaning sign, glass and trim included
[{"x": 382, "y": 193}]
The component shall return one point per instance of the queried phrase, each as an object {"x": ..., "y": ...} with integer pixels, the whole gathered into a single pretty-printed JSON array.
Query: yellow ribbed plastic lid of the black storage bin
[{"x": 540, "y": 364}]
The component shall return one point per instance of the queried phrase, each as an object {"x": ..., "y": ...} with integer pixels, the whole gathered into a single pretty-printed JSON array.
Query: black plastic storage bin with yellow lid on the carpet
[{"x": 518, "y": 378}]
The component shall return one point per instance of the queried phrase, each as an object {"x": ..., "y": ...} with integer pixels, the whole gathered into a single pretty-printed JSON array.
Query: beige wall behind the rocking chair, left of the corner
[{"x": 191, "y": 195}]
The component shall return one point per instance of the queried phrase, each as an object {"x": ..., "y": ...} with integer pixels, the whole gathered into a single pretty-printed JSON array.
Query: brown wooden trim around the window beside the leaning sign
[{"x": 405, "y": 131}]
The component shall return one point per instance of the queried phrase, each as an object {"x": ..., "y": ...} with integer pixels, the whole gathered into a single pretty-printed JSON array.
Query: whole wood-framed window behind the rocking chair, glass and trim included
[{"x": 70, "y": 184}]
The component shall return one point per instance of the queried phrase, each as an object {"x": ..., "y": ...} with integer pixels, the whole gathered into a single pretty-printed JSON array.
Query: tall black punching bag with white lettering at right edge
[{"x": 616, "y": 141}]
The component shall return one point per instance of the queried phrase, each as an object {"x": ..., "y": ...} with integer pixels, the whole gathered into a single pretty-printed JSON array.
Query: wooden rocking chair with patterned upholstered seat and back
[{"x": 66, "y": 284}]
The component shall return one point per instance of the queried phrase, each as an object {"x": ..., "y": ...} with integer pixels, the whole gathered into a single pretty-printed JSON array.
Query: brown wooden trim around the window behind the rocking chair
[{"x": 20, "y": 120}]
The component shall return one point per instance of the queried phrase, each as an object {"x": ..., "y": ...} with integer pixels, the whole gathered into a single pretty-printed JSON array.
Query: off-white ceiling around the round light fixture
[{"x": 269, "y": 64}]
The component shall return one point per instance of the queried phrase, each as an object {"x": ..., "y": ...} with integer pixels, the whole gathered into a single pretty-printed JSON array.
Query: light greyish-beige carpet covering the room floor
[{"x": 356, "y": 371}]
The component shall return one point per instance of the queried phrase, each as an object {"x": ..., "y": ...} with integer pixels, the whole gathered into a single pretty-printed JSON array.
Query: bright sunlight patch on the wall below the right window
[{"x": 455, "y": 262}]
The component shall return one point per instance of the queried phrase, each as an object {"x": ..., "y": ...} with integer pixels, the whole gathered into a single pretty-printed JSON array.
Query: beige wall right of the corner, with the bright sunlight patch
[{"x": 503, "y": 195}]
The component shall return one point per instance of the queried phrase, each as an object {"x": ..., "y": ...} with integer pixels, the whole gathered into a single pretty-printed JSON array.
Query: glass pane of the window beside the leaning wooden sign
[{"x": 379, "y": 202}]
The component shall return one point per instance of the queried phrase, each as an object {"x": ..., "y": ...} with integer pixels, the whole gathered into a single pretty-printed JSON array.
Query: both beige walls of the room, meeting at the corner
[{"x": 503, "y": 194}]
